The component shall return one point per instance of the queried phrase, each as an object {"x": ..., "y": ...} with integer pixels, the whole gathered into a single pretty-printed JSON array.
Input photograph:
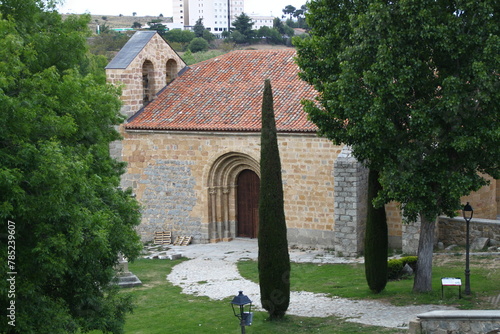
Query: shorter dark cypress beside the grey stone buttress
[{"x": 376, "y": 239}]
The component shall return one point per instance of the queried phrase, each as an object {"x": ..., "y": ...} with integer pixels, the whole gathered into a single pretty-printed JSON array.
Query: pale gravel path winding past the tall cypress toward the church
[{"x": 212, "y": 272}]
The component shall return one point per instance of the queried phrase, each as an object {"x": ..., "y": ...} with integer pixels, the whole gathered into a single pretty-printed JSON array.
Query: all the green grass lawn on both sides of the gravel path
[{"x": 162, "y": 308}]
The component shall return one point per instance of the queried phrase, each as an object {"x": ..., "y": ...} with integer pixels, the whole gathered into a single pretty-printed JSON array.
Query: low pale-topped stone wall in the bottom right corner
[{"x": 457, "y": 322}]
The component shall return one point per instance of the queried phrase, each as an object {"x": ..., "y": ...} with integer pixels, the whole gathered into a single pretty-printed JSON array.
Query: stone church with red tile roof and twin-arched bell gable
[{"x": 192, "y": 147}]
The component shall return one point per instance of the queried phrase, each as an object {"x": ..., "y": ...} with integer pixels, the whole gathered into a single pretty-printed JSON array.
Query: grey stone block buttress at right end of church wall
[{"x": 351, "y": 195}]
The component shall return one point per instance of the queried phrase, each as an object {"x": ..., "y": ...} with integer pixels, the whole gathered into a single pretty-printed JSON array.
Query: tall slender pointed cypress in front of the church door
[{"x": 274, "y": 260}]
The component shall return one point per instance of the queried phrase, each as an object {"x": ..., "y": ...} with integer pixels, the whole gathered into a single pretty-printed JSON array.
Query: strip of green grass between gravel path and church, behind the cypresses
[{"x": 348, "y": 281}]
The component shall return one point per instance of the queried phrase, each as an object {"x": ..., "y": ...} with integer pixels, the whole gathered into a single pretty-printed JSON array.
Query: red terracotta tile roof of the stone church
[{"x": 225, "y": 94}]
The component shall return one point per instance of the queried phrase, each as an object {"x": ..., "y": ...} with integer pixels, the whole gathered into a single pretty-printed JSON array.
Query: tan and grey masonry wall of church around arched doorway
[{"x": 168, "y": 172}]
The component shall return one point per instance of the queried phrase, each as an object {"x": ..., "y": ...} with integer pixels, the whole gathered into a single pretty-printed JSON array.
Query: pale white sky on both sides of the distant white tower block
[{"x": 157, "y": 7}]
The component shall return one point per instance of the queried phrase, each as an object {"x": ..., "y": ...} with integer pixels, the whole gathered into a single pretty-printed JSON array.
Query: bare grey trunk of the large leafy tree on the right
[{"x": 423, "y": 274}]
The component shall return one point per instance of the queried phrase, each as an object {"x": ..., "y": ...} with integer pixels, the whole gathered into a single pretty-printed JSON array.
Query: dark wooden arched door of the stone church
[{"x": 248, "y": 204}]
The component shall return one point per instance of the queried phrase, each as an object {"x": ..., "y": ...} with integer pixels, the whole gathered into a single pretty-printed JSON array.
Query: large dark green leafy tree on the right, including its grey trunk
[{"x": 412, "y": 87}]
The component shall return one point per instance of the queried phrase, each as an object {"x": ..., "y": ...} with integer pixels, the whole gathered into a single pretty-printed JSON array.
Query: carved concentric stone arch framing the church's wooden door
[{"x": 221, "y": 187}]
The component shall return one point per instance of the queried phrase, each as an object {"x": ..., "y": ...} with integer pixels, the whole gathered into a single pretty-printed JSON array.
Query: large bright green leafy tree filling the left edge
[{"x": 59, "y": 187}]
